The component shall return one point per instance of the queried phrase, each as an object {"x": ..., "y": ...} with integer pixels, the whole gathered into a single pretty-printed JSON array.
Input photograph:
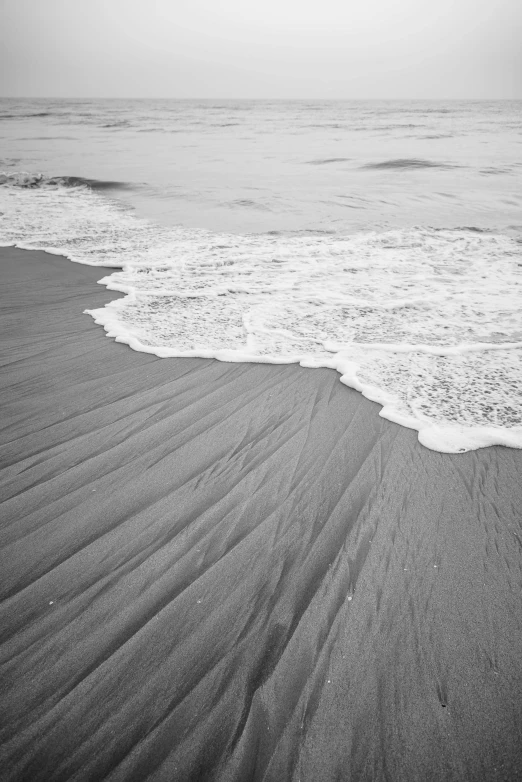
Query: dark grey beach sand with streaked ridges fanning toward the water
[{"x": 241, "y": 572}]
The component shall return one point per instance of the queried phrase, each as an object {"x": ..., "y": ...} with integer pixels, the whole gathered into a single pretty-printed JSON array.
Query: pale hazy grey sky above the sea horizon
[{"x": 262, "y": 49}]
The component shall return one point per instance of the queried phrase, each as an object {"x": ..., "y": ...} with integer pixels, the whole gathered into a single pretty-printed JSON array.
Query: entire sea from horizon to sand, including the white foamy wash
[{"x": 380, "y": 239}]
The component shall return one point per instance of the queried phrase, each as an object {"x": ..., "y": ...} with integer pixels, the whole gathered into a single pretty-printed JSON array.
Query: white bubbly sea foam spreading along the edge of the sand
[{"x": 426, "y": 322}]
